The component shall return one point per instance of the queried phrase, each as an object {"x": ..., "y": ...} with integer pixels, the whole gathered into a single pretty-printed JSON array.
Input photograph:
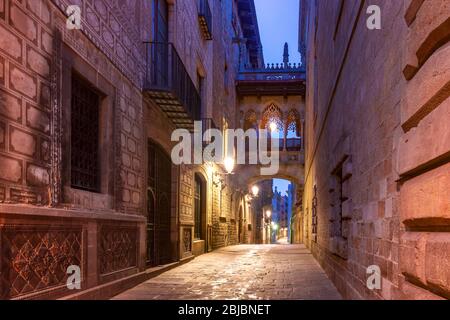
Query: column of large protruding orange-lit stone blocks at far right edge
[{"x": 424, "y": 152}]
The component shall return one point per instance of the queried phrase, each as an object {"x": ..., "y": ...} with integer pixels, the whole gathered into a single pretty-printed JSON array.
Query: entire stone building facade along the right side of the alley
[{"x": 377, "y": 146}]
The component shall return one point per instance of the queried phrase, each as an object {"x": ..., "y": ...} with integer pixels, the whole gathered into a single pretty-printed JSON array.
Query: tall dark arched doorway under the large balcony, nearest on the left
[{"x": 158, "y": 205}]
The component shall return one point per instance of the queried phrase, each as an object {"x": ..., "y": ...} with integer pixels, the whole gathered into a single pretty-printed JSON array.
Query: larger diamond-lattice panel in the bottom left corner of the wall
[{"x": 36, "y": 258}]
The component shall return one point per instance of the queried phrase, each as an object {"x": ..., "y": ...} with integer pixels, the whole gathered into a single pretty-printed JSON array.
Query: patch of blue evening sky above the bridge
[{"x": 278, "y": 23}]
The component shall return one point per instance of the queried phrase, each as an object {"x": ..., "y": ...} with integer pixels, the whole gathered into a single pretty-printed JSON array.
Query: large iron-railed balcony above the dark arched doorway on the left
[{"x": 168, "y": 84}]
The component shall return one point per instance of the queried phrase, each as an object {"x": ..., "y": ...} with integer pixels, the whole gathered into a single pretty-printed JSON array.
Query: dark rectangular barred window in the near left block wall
[{"x": 84, "y": 136}]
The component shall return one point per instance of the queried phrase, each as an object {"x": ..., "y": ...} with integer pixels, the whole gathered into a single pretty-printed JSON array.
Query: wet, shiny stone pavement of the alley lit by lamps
[{"x": 271, "y": 272}]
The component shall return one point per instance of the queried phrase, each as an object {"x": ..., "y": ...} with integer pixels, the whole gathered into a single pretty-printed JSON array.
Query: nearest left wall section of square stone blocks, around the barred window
[{"x": 38, "y": 55}]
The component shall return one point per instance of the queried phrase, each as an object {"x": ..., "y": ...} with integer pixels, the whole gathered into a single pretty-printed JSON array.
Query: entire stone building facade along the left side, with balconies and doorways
[{"x": 85, "y": 172}]
